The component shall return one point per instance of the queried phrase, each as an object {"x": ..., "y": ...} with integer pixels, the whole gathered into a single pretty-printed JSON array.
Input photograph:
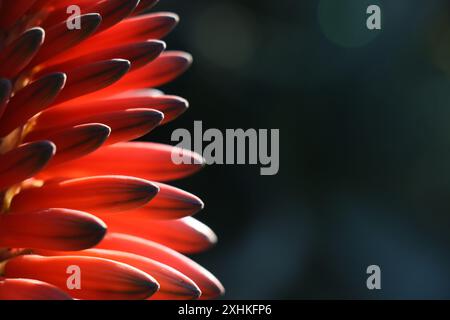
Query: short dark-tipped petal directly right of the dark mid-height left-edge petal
[{"x": 78, "y": 141}]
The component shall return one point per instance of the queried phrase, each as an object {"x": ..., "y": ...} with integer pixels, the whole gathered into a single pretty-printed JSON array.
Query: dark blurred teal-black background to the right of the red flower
[{"x": 364, "y": 118}]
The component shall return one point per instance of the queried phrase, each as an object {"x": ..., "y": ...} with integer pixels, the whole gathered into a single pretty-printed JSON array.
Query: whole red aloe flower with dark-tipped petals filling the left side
[{"x": 74, "y": 192}]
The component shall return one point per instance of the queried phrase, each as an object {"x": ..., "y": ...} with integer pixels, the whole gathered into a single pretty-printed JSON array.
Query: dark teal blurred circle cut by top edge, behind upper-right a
[{"x": 344, "y": 22}]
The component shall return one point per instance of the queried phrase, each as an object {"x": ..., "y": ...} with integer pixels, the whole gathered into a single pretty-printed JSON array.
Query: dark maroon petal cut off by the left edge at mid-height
[{"x": 24, "y": 162}]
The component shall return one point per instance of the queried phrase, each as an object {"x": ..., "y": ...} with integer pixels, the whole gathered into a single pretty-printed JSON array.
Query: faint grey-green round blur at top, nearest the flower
[{"x": 225, "y": 34}]
